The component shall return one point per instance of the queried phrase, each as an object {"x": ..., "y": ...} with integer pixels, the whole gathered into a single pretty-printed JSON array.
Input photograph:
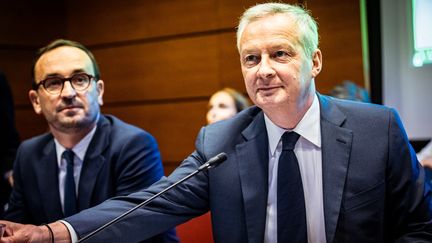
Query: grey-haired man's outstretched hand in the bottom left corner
[{"x": 24, "y": 233}]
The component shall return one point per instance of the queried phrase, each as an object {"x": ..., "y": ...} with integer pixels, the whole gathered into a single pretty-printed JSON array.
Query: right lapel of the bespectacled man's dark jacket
[{"x": 92, "y": 163}]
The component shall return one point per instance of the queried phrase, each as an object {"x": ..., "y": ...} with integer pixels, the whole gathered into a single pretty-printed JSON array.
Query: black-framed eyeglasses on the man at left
[{"x": 54, "y": 85}]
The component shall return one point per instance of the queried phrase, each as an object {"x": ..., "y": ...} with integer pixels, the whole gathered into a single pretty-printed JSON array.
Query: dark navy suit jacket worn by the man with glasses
[{"x": 120, "y": 159}]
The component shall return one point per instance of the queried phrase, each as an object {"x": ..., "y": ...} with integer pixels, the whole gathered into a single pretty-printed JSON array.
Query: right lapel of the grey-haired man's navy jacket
[{"x": 336, "y": 148}]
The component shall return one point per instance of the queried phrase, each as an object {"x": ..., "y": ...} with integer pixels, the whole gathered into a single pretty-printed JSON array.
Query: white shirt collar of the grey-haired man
[{"x": 309, "y": 127}]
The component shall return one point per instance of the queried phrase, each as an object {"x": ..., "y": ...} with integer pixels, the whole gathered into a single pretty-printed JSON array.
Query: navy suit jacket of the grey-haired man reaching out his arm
[{"x": 373, "y": 185}]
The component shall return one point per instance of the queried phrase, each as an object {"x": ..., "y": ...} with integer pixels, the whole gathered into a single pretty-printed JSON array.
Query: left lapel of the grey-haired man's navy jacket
[{"x": 252, "y": 158}]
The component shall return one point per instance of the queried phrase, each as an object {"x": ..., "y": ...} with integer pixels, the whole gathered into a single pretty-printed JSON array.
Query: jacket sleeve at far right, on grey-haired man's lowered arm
[{"x": 409, "y": 196}]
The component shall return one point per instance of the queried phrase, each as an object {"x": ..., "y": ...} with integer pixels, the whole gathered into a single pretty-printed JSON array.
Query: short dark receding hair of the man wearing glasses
[{"x": 59, "y": 43}]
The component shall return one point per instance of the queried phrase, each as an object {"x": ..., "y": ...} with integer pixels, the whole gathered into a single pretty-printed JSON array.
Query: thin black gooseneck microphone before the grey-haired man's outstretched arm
[{"x": 211, "y": 163}]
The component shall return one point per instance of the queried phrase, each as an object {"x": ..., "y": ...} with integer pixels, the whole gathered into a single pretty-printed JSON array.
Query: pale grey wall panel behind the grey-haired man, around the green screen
[{"x": 405, "y": 87}]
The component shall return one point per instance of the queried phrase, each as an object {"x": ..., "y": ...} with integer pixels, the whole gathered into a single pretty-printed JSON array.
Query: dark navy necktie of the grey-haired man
[{"x": 291, "y": 211}]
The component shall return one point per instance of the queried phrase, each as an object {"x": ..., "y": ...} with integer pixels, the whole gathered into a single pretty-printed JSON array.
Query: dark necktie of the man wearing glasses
[{"x": 70, "y": 200}]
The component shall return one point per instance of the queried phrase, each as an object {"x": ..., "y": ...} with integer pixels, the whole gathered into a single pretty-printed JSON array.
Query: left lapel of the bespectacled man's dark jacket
[{"x": 47, "y": 177}]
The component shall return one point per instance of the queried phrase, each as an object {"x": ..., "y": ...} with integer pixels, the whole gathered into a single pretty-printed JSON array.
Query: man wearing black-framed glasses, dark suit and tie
[{"x": 86, "y": 157}]
